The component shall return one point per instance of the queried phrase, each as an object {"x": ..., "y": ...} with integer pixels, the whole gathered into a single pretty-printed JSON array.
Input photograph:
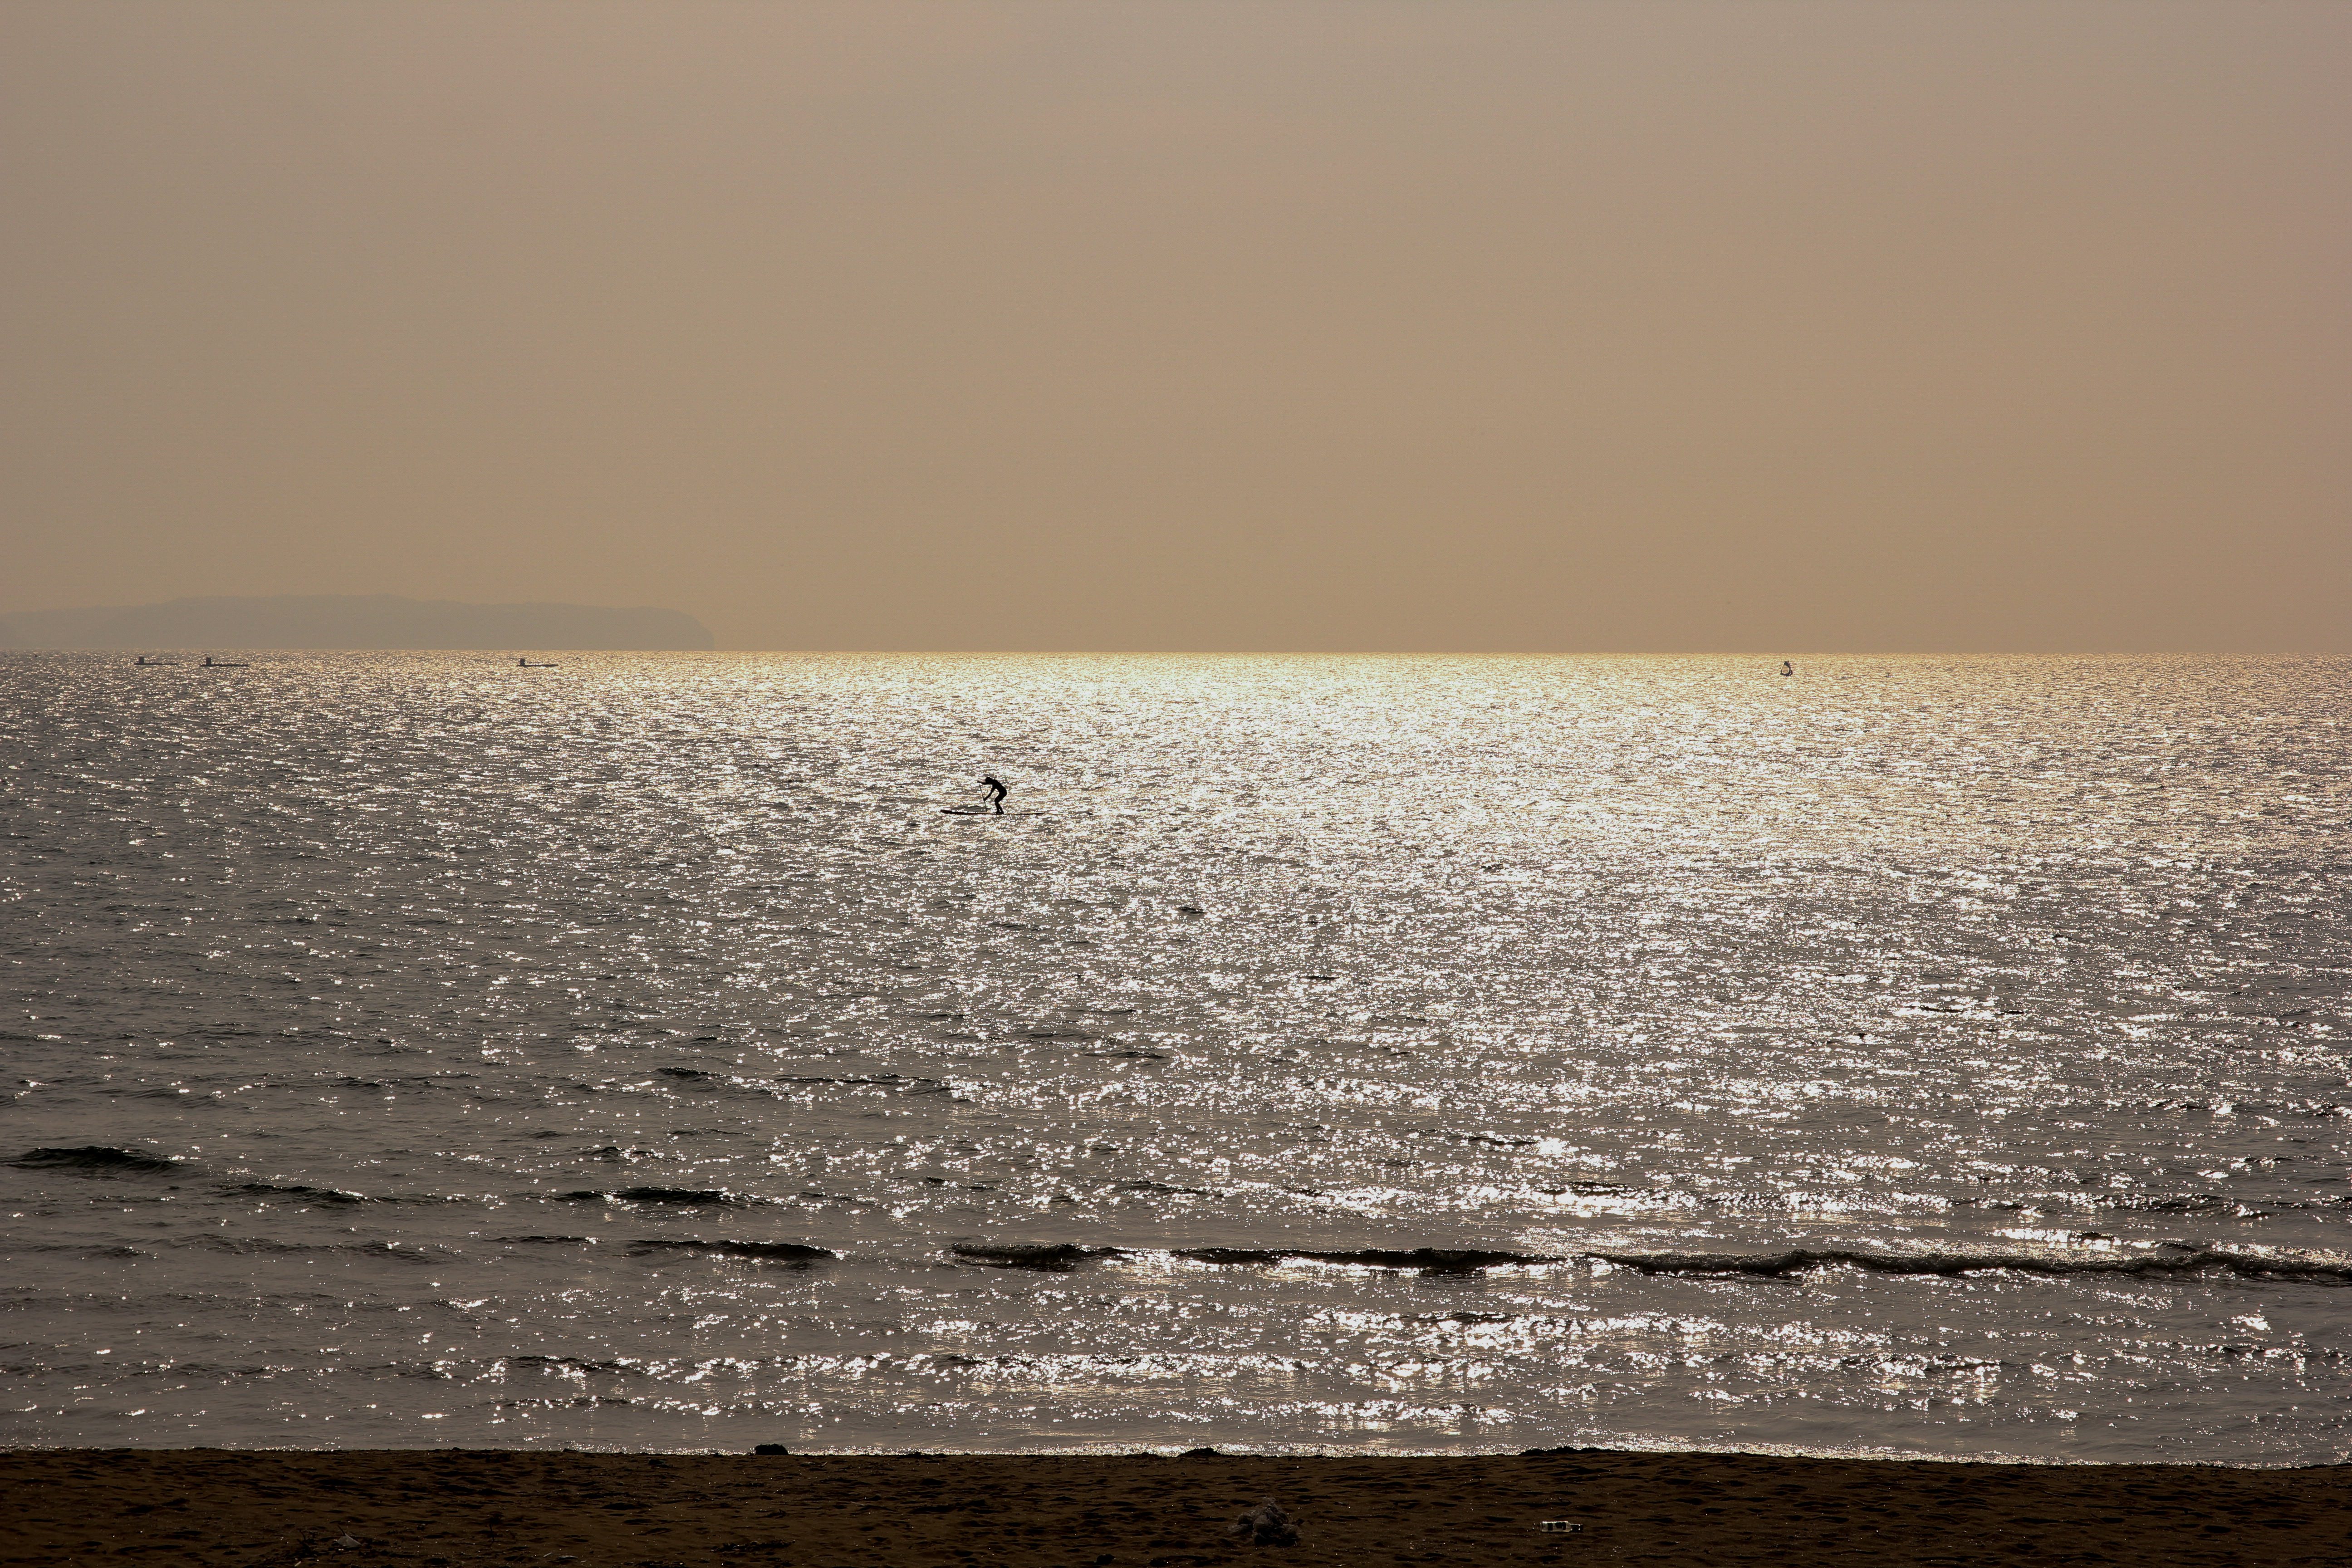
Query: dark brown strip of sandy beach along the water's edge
[{"x": 599, "y": 1510}]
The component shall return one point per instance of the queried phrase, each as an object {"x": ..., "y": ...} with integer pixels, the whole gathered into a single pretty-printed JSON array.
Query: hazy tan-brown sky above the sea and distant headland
[{"x": 1278, "y": 326}]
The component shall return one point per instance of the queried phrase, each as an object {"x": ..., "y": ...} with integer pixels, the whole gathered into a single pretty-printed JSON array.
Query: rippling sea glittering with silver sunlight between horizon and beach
[{"x": 1935, "y": 1057}]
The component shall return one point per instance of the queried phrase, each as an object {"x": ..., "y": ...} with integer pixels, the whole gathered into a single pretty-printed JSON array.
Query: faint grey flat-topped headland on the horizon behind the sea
[{"x": 352, "y": 622}]
